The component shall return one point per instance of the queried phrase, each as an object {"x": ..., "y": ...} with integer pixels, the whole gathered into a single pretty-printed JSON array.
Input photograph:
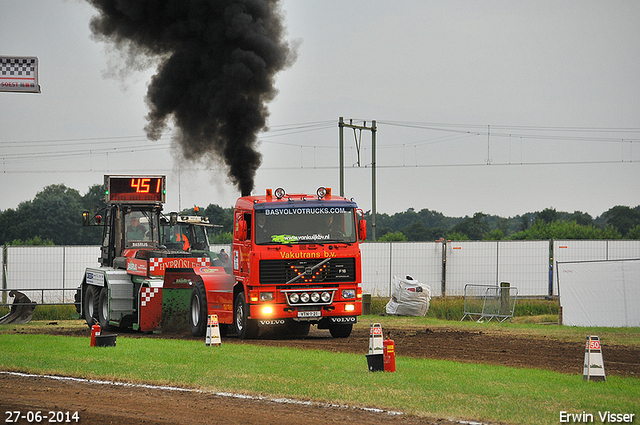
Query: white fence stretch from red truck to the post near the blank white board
[{"x": 449, "y": 266}]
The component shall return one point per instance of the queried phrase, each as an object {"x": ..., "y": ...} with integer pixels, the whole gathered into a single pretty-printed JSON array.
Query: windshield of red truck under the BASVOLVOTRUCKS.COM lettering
[{"x": 291, "y": 225}]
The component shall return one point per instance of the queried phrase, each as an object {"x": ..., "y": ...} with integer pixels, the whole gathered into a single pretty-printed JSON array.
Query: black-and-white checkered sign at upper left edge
[{"x": 19, "y": 74}]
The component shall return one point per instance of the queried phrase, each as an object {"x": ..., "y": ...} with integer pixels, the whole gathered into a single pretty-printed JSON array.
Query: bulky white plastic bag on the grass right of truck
[{"x": 408, "y": 297}]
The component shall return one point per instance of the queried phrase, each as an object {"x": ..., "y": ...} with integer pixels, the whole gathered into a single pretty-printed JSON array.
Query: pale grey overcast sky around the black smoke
[{"x": 501, "y": 107}]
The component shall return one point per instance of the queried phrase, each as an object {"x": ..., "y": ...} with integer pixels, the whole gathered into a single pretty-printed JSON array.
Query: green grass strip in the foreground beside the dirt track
[{"x": 420, "y": 386}]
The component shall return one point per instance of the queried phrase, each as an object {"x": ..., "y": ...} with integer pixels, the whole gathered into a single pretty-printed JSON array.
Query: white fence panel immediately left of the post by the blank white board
[{"x": 524, "y": 264}]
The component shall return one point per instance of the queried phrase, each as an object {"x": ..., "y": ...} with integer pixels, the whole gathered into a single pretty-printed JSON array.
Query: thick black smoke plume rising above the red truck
[{"x": 217, "y": 60}]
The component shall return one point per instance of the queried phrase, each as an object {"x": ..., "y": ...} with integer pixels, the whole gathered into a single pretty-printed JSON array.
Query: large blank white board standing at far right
[{"x": 600, "y": 293}]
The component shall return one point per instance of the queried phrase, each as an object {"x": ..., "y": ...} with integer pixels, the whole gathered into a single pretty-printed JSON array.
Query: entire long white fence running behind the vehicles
[{"x": 444, "y": 266}]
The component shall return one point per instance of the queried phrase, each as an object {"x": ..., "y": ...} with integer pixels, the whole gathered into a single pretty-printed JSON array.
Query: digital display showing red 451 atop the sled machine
[{"x": 140, "y": 189}]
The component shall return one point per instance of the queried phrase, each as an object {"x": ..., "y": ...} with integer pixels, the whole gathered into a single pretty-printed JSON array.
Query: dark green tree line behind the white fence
[{"x": 54, "y": 217}]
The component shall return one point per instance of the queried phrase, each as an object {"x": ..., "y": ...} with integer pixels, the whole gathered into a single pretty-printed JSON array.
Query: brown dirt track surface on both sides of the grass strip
[{"x": 126, "y": 405}]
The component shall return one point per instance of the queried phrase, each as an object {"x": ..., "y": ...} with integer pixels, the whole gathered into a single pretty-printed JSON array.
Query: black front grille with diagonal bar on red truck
[{"x": 310, "y": 271}]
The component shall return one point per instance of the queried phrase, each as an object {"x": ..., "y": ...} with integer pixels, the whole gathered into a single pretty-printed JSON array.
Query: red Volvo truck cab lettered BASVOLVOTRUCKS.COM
[{"x": 297, "y": 260}]
